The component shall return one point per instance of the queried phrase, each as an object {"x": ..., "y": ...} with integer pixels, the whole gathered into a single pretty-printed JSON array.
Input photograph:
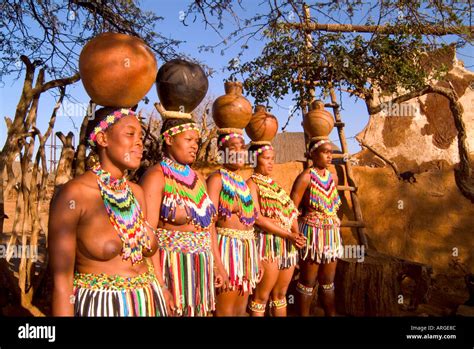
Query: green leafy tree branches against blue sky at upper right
[{"x": 360, "y": 62}]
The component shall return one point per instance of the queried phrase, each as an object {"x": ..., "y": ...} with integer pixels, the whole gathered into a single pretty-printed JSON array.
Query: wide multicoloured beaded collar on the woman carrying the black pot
[{"x": 184, "y": 188}]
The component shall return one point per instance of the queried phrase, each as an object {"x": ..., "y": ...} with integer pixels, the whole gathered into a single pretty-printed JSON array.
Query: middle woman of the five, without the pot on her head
[{"x": 234, "y": 226}]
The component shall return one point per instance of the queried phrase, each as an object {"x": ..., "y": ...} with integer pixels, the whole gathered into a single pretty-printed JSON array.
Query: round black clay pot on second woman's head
[{"x": 181, "y": 85}]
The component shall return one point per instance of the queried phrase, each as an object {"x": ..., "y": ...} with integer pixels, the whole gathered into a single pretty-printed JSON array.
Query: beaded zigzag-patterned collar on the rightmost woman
[{"x": 323, "y": 194}]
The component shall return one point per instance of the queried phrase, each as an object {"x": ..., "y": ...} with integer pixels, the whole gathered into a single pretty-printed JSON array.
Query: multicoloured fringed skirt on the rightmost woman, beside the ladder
[{"x": 323, "y": 237}]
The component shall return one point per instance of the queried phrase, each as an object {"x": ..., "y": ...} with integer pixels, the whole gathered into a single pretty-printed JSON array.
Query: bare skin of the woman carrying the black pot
[{"x": 181, "y": 148}]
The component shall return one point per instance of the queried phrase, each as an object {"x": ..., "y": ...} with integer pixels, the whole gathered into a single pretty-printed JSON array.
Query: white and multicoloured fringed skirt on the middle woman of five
[{"x": 239, "y": 254}]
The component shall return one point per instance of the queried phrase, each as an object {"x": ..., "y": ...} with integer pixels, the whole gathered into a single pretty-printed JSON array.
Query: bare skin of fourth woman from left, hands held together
[{"x": 274, "y": 283}]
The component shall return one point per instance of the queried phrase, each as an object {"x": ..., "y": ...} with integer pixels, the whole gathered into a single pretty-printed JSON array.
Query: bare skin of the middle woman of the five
[{"x": 229, "y": 303}]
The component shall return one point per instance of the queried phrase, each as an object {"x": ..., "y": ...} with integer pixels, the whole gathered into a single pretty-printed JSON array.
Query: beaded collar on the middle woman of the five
[{"x": 235, "y": 190}]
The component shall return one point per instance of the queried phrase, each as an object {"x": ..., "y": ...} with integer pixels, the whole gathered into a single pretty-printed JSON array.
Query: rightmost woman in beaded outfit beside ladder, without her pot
[{"x": 315, "y": 191}]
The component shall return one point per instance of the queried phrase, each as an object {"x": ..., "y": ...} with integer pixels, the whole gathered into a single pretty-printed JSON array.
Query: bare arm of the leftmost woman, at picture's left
[{"x": 64, "y": 217}]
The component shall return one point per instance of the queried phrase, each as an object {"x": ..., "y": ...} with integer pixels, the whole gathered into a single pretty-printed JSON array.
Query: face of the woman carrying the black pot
[{"x": 183, "y": 147}]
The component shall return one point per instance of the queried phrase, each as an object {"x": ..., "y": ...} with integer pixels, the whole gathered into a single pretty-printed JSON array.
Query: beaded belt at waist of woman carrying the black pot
[{"x": 184, "y": 241}]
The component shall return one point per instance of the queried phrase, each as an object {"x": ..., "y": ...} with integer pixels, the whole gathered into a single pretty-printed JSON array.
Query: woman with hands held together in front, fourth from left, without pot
[{"x": 278, "y": 236}]
